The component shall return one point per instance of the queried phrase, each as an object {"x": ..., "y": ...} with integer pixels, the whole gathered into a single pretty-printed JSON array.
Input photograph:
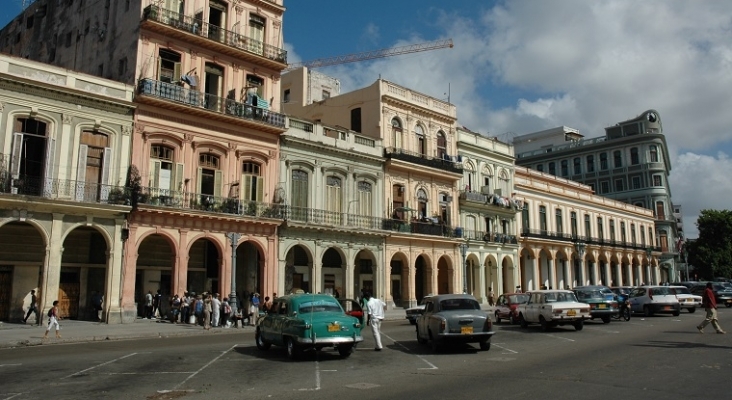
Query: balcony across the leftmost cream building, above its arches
[{"x": 61, "y": 189}]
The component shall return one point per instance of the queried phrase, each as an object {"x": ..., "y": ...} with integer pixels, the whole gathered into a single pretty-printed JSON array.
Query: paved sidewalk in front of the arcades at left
[{"x": 72, "y": 331}]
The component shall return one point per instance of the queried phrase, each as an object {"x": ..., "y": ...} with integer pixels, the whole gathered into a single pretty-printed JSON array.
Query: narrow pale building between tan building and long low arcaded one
[{"x": 488, "y": 214}]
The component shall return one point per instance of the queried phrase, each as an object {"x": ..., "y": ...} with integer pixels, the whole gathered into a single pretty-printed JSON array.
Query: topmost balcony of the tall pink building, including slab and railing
[{"x": 212, "y": 37}]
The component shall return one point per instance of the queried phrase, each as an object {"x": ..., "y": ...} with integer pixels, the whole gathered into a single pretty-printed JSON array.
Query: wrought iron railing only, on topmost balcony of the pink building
[{"x": 196, "y": 26}]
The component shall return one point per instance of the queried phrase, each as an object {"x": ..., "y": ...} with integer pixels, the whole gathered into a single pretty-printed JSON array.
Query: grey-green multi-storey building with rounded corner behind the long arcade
[{"x": 630, "y": 163}]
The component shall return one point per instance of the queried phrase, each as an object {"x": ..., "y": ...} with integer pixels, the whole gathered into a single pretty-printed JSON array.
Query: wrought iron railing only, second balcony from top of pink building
[{"x": 182, "y": 95}]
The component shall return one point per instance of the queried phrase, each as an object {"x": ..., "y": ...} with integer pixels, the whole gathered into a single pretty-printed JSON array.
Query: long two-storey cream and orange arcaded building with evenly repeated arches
[{"x": 572, "y": 237}]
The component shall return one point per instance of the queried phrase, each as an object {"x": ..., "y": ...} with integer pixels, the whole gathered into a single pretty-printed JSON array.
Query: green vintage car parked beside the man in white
[{"x": 302, "y": 322}]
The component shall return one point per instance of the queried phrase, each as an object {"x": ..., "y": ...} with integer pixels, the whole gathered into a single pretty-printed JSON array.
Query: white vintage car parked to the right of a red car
[{"x": 553, "y": 307}]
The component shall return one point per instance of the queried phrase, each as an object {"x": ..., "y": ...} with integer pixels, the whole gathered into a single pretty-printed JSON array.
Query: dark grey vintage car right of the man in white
[{"x": 454, "y": 318}]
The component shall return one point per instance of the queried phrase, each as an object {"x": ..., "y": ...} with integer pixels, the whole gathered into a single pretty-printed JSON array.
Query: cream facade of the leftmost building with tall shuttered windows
[{"x": 66, "y": 140}]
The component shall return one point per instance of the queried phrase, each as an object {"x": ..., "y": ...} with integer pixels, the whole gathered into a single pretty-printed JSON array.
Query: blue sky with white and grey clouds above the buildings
[{"x": 521, "y": 66}]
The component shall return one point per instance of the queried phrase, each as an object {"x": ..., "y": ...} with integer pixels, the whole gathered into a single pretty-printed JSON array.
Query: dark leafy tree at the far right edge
[{"x": 711, "y": 253}]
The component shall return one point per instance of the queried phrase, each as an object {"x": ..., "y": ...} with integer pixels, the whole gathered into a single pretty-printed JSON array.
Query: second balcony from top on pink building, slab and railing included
[{"x": 191, "y": 102}]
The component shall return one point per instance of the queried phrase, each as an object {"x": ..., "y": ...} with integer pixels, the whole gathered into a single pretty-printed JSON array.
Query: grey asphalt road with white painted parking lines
[{"x": 661, "y": 357}]
